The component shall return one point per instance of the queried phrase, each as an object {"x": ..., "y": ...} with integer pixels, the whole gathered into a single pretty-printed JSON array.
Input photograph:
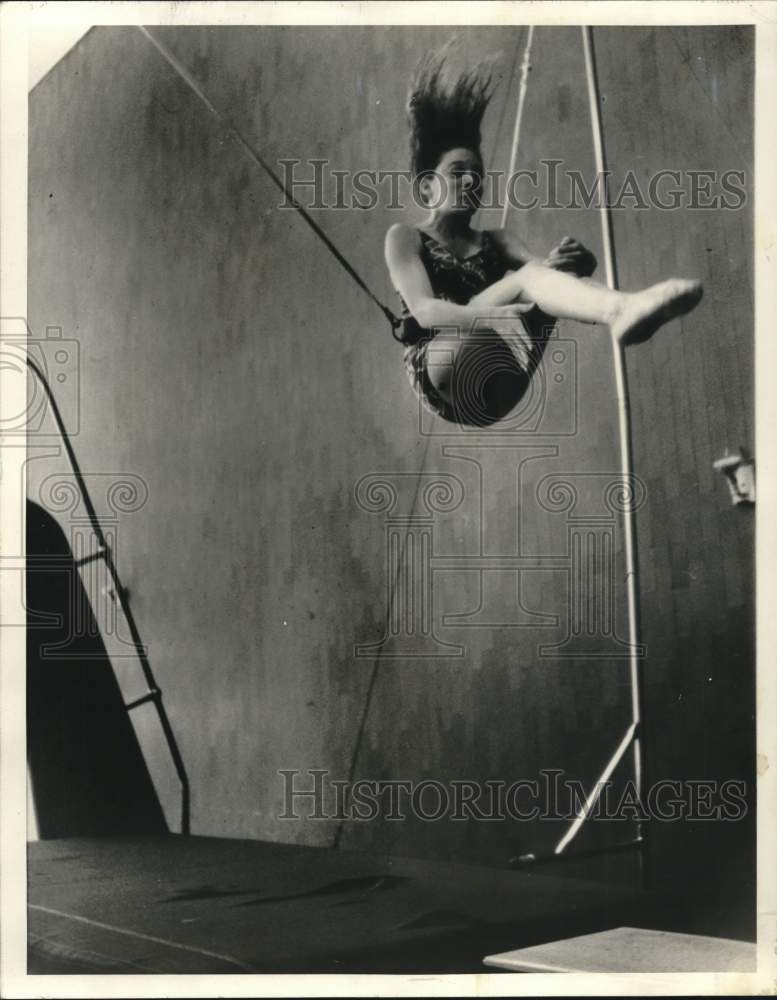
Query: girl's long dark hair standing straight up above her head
[{"x": 443, "y": 112}]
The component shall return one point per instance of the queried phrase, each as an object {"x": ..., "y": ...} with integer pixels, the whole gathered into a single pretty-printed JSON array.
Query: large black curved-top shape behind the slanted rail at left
[{"x": 87, "y": 772}]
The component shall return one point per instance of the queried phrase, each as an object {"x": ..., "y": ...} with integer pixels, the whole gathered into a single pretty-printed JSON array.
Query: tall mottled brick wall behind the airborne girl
[{"x": 229, "y": 363}]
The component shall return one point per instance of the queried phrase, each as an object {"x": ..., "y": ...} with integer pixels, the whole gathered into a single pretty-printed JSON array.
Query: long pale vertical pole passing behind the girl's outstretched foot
[{"x": 624, "y": 426}]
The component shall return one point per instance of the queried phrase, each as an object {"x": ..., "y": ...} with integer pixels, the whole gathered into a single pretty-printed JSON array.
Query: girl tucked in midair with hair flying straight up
[{"x": 480, "y": 296}]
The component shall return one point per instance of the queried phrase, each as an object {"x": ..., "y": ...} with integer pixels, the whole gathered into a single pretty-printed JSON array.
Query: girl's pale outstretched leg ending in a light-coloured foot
[{"x": 632, "y": 317}]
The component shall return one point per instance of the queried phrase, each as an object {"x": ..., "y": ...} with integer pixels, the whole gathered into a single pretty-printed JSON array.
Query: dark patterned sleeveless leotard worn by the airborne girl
[{"x": 454, "y": 279}]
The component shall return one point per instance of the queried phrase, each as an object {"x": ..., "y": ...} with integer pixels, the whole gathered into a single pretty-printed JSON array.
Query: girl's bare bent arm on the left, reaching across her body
[{"x": 402, "y": 248}]
